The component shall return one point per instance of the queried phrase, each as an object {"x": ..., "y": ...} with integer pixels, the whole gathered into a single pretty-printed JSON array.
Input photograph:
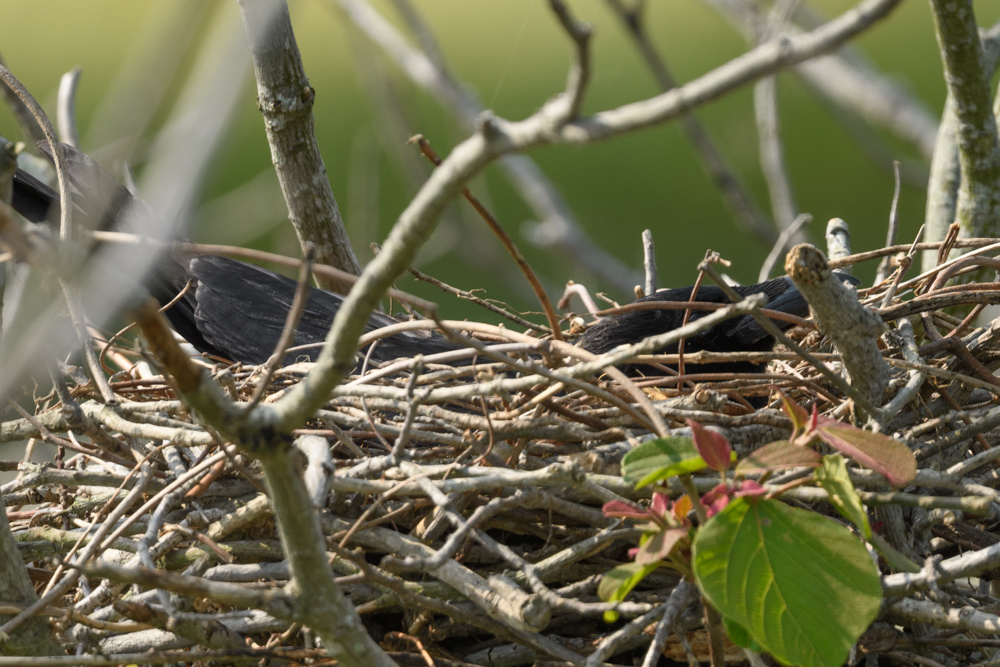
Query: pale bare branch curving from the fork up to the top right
[{"x": 497, "y": 137}]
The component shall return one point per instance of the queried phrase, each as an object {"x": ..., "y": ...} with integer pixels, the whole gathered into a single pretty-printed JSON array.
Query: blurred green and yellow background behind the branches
[{"x": 514, "y": 56}]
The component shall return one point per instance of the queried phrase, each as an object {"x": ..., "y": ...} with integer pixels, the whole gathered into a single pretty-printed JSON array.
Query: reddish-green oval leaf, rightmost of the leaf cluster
[{"x": 886, "y": 456}]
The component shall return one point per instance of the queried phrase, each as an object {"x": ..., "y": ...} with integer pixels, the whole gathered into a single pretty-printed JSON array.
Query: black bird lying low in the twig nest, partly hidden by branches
[{"x": 237, "y": 310}]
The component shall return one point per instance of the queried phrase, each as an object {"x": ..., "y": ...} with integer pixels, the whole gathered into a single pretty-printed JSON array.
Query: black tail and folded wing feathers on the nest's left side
[{"x": 232, "y": 309}]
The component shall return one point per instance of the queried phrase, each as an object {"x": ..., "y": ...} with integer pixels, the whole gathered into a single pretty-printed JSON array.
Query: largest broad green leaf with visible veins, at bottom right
[{"x": 801, "y": 584}]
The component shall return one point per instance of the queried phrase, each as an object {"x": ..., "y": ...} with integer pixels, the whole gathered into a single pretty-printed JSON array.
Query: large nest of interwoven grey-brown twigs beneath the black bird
[{"x": 463, "y": 512}]
